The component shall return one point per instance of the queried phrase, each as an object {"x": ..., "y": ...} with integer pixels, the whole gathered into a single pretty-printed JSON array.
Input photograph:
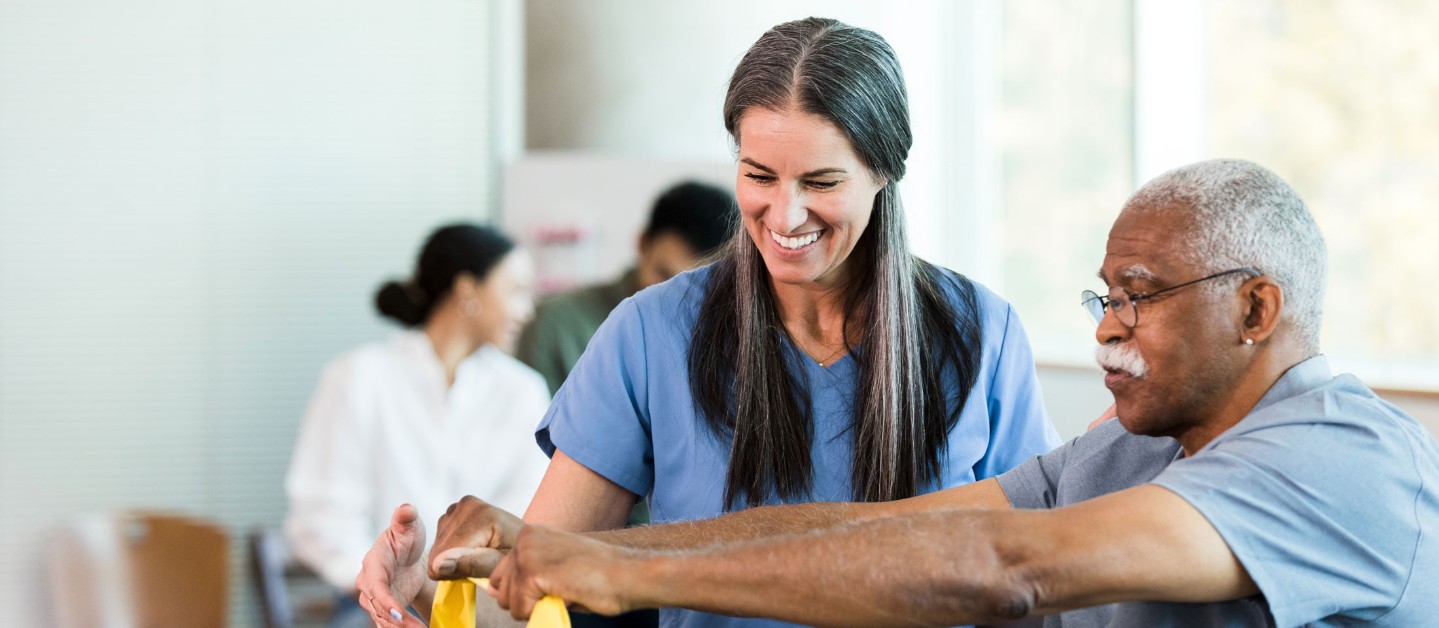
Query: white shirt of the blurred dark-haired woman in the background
[{"x": 385, "y": 430}]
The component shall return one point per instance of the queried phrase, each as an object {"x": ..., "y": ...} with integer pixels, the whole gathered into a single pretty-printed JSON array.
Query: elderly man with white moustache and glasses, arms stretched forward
[{"x": 1241, "y": 485}]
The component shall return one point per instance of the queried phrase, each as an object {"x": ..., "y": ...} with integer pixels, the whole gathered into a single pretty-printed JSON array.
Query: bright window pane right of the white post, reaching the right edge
[{"x": 1343, "y": 104}]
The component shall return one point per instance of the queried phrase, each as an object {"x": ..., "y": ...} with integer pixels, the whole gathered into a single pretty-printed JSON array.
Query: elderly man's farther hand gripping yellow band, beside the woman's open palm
[{"x": 471, "y": 539}]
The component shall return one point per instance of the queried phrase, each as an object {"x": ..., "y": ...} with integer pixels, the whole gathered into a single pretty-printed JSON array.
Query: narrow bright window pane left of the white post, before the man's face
[{"x": 1066, "y": 120}]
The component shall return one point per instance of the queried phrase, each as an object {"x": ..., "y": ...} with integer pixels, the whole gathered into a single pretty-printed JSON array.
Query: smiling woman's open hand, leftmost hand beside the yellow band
[{"x": 392, "y": 574}]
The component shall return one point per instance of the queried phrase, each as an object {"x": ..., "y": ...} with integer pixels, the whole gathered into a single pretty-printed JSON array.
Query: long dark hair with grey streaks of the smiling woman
[{"x": 914, "y": 341}]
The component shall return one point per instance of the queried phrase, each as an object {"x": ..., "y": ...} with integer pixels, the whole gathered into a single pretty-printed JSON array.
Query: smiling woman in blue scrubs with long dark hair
[{"x": 817, "y": 361}]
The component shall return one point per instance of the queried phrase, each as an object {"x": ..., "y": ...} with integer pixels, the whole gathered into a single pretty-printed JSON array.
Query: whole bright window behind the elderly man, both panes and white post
[{"x": 1336, "y": 97}]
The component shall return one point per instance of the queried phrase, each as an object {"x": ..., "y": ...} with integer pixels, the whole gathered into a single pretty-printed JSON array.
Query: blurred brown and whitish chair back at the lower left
[{"x": 139, "y": 571}]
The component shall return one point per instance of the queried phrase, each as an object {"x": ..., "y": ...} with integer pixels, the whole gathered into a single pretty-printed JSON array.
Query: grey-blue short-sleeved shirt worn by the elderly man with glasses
[{"x": 1327, "y": 495}]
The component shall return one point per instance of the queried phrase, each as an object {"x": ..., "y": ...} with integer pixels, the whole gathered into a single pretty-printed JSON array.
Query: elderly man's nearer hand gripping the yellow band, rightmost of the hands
[{"x": 588, "y": 574}]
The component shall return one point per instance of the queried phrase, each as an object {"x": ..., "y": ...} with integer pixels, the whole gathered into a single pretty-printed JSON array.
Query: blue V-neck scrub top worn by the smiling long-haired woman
[{"x": 627, "y": 413}]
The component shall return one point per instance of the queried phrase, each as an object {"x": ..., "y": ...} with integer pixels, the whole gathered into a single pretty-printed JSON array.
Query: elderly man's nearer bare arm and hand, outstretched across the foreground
[{"x": 933, "y": 568}]
